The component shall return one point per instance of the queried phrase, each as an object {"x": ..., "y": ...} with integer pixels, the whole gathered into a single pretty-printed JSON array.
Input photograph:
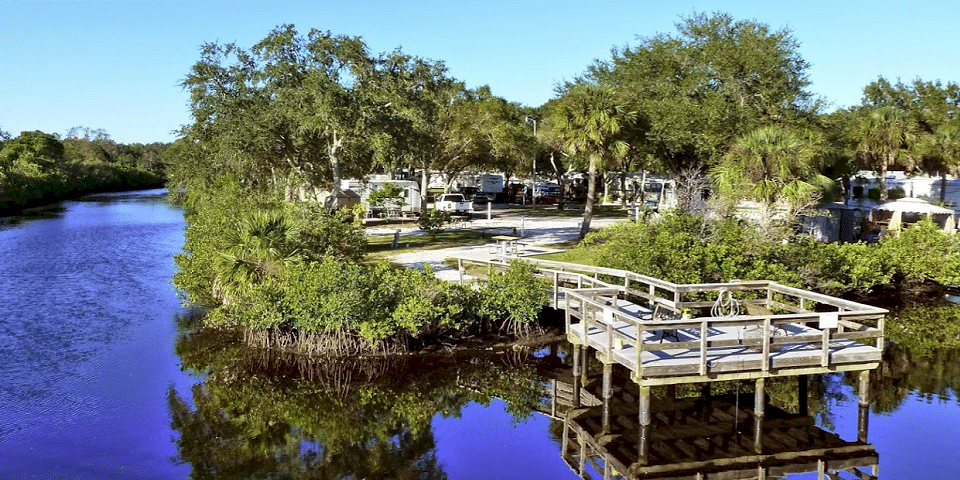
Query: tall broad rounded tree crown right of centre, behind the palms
[{"x": 714, "y": 80}]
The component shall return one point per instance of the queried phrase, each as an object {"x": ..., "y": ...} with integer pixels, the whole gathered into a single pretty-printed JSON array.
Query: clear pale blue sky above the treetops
[{"x": 117, "y": 65}]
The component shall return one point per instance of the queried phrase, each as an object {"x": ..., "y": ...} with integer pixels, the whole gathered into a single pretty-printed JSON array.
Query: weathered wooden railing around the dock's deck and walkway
[{"x": 593, "y": 295}]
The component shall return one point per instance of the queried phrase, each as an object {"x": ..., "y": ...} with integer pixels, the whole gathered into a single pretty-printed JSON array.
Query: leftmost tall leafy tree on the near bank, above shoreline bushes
[{"x": 288, "y": 113}]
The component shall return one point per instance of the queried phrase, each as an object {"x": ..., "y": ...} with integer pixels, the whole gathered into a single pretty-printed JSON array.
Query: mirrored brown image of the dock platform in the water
[{"x": 696, "y": 439}]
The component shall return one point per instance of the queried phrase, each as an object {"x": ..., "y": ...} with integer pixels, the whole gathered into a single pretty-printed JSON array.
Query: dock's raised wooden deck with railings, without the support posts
[{"x": 667, "y": 333}]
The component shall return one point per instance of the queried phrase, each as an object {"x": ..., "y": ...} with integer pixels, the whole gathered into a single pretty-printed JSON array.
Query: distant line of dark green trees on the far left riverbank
[{"x": 38, "y": 168}]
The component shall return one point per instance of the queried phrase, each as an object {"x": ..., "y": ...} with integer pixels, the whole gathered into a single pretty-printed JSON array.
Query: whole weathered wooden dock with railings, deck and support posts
[{"x": 667, "y": 334}]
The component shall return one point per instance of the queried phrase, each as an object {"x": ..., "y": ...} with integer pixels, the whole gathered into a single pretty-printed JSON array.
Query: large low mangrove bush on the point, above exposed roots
[{"x": 348, "y": 302}]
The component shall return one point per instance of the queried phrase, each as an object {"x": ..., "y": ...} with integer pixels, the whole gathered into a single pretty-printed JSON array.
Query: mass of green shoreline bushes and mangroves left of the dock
[{"x": 293, "y": 279}]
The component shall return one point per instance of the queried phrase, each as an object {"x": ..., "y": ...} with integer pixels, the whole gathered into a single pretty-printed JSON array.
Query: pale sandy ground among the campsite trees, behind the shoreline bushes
[{"x": 539, "y": 231}]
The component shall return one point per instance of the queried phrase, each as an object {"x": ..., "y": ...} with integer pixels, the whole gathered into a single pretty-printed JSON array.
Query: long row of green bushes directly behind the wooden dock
[{"x": 686, "y": 249}]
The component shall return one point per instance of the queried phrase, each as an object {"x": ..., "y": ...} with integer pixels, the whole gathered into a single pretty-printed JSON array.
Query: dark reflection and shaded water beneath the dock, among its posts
[{"x": 708, "y": 437}]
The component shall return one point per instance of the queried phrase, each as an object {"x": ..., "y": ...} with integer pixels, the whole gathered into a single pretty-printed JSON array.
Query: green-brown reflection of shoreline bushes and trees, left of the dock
[{"x": 262, "y": 414}]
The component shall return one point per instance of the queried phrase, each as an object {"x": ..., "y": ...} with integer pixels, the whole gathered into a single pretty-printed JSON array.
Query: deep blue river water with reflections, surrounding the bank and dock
[{"x": 103, "y": 376}]
